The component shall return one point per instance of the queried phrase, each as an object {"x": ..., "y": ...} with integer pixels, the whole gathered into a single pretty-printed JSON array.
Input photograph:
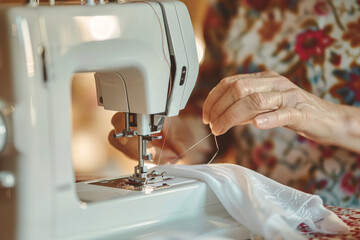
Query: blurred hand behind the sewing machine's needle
[{"x": 178, "y": 135}]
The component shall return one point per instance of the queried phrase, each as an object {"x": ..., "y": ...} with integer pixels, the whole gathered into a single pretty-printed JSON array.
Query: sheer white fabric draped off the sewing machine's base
[{"x": 266, "y": 207}]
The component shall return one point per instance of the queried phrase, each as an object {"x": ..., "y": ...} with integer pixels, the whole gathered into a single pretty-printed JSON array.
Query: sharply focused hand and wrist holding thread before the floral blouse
[{"x": 269, "y": 100}]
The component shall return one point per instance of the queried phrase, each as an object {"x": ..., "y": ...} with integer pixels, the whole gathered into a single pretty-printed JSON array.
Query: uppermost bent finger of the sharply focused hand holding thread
[{"x": 243, "y": 86}]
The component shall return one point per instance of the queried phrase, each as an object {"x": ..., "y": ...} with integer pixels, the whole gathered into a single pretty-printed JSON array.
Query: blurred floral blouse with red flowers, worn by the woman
[{"x": 316, "y": 44}]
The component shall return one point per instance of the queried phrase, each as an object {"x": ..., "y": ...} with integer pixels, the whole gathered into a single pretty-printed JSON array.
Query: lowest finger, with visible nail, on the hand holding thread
[{"x": 289, "y": 117}]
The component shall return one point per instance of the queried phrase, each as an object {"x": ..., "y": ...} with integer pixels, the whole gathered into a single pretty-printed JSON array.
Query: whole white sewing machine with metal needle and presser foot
[{"x": 144, "y": 56}]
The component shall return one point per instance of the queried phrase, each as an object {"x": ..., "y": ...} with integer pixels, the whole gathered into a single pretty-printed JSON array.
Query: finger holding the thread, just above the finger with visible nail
[{"x": 244, "y": 110}]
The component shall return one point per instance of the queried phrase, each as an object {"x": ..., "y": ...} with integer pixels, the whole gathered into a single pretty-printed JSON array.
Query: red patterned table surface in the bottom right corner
[{"x": 350, "y": 216}]
